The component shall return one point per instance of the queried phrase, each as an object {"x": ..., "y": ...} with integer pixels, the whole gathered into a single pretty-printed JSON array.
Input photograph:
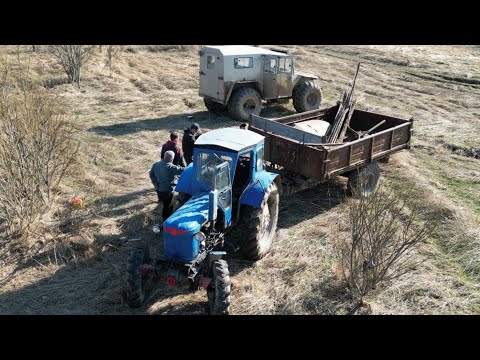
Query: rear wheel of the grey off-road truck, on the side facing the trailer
[{"x": 244, "y": 101}]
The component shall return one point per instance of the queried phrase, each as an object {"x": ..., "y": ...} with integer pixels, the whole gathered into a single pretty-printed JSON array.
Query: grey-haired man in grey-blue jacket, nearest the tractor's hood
[{"x": 162, "y": 175}]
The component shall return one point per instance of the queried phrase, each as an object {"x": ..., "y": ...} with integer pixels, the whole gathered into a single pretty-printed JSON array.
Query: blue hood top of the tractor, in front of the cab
[{"x": 189, "y": 218}]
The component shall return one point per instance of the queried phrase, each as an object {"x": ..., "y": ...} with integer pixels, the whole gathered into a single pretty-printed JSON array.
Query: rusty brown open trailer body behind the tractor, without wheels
[{"x": 306, "y": 154}]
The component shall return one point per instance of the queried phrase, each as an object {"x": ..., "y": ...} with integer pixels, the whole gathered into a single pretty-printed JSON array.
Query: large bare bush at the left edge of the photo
[{"x": 37, "y": 146}]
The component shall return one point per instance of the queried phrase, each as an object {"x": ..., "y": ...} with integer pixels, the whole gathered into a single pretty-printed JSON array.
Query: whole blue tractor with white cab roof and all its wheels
[{"x": 226, "y": 188}]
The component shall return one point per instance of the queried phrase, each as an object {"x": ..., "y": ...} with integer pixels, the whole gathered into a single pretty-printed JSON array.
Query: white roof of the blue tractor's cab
[{"x": 229, "y": 138}]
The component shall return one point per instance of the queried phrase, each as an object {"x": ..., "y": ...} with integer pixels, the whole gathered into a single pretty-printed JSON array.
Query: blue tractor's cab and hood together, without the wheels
[{"x": 226, "y": 164}]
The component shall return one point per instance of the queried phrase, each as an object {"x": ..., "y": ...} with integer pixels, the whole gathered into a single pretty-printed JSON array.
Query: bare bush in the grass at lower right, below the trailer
[{"x": 384, "y": 233}]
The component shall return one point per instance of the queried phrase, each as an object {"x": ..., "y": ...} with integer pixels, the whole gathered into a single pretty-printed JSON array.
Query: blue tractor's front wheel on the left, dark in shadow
[{"x": 135, "y": 293}]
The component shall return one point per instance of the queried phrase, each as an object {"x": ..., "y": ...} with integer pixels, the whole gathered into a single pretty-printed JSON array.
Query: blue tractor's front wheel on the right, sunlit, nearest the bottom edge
[{"x": 218, "y": 292}]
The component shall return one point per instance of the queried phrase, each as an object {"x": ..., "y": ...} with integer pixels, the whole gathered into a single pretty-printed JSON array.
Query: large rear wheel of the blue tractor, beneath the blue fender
[{"x": 258, "y": 226}]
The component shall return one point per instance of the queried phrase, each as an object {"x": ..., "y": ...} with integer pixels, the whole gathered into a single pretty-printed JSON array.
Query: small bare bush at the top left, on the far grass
[{"x": 72, "y": 57}]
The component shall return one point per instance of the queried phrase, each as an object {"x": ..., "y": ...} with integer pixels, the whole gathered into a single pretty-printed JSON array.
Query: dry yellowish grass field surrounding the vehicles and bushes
[{"x": 79, "y": 267}]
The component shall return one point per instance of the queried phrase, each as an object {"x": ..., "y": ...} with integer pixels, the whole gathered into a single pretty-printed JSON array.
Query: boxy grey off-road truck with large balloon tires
[{"x": 238, "y": 78}]
